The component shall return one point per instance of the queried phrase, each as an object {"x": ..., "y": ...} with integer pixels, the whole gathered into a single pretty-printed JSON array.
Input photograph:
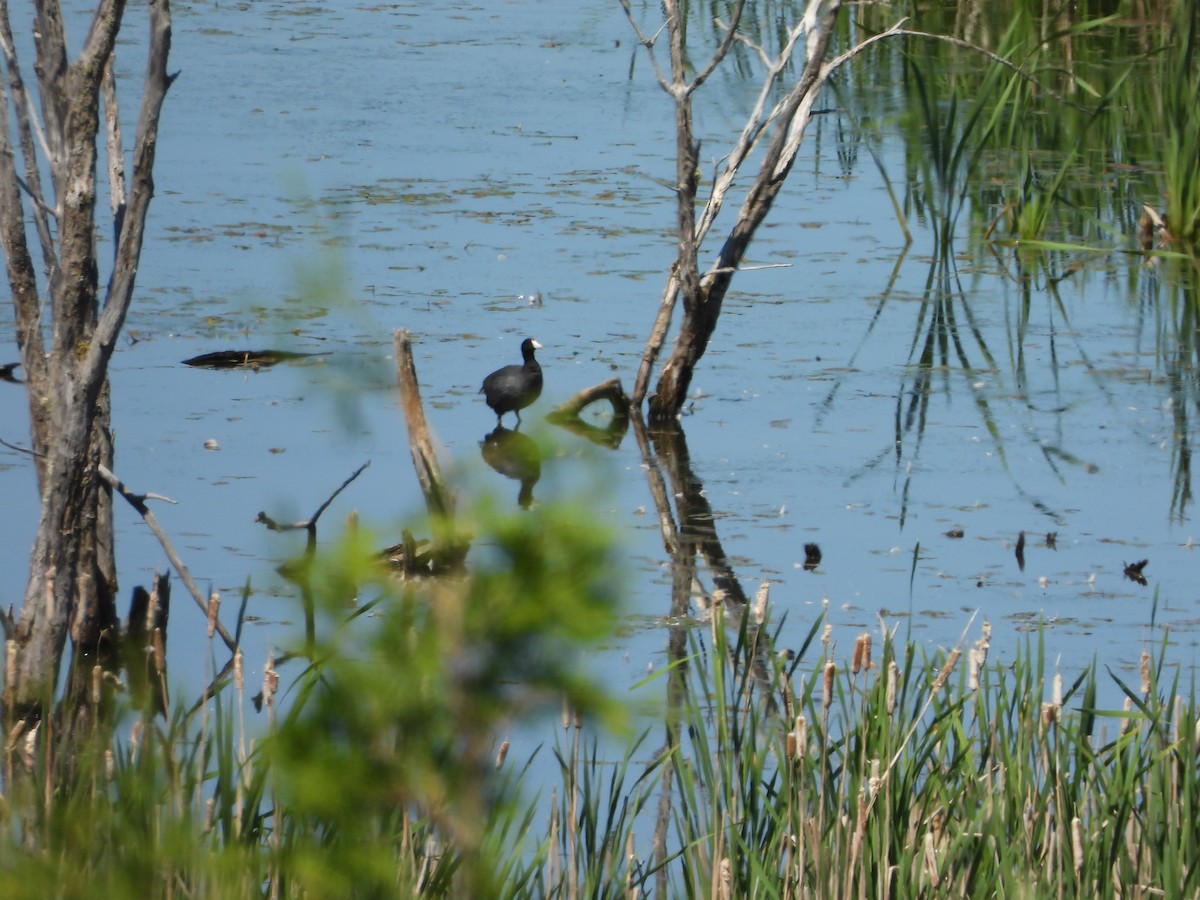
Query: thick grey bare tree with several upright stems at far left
[{"x": 73, "y": 579}]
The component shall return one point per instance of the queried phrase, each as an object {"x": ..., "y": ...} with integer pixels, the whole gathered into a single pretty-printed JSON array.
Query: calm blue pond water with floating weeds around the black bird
[{"x": 478, "y": 173}]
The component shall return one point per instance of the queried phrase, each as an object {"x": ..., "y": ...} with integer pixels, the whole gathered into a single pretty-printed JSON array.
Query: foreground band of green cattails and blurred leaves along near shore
[{"x": 875, "y": 771}]
